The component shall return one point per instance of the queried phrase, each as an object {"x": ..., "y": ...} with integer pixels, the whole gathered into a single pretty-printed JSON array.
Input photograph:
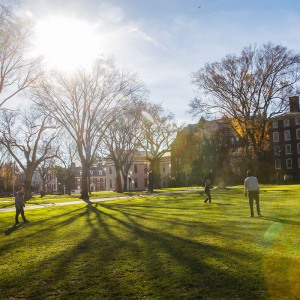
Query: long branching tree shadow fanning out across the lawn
[{"x": 130, "y": 255}]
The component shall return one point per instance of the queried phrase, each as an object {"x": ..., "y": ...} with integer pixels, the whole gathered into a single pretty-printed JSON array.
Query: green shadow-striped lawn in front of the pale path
[{"x": 162, "y": 247}]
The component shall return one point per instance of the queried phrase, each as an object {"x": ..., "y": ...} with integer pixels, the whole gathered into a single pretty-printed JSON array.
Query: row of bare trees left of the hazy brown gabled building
[{"x": 99, "y": 111}]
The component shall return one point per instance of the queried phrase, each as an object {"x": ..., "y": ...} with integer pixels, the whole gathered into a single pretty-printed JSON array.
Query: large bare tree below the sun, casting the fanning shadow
[{"x": 86, "y": 103}]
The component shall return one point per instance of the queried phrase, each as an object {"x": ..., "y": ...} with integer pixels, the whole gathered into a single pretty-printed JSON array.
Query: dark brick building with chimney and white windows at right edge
[{"x": 285, "y": 143}]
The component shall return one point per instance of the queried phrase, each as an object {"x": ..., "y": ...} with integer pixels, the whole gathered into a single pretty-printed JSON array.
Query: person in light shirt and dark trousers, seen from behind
[{"x": 251, "y": 189}]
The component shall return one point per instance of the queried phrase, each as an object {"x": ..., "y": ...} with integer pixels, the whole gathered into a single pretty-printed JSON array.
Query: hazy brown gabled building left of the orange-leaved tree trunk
[{"x": 206, "y": 150}]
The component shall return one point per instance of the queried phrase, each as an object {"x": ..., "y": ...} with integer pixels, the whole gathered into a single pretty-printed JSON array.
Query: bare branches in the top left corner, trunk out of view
[{"x": 17, "y": 69}]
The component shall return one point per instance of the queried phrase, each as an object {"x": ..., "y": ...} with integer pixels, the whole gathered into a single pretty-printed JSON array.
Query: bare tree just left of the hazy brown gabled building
[{"x": 159, "y": 130}]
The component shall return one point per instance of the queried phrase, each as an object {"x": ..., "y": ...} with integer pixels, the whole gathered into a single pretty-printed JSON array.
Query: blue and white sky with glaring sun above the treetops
[{"x": 161, "y": 40}]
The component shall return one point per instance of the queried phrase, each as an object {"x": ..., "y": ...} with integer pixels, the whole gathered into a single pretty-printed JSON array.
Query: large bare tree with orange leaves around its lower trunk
[{"x": 250, "y": 89}]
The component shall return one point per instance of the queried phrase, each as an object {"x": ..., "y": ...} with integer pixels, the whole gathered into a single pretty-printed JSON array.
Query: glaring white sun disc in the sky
[{"x": 66, "y": 43}]
